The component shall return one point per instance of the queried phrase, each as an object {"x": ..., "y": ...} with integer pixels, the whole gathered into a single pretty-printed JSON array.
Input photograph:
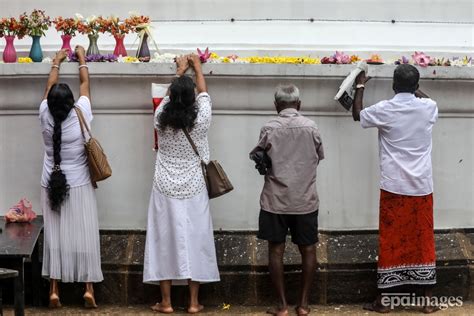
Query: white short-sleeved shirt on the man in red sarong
[{"x": 405, "y": 126}]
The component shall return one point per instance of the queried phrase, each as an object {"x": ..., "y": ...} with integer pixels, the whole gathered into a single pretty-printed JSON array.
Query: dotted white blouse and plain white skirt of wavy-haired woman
[{"x": 179, "y": 240}]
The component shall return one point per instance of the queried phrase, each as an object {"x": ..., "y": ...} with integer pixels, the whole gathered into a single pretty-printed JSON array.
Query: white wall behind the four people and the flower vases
[{"x": 348, "y": 179}]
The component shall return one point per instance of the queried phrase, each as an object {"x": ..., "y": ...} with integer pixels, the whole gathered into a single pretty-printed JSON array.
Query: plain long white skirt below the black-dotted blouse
[{"x": 179, "y": 240}]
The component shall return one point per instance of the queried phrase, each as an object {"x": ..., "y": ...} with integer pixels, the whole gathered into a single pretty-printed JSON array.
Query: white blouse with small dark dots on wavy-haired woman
[{"x": 178, "y": 172}]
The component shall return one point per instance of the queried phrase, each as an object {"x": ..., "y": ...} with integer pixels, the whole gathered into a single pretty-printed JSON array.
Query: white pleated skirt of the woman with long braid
[{"x": 71, "y": 237}]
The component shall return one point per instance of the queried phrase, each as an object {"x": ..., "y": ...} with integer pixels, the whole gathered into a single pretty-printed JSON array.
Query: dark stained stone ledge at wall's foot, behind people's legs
[{"x": 346, "y": 270}]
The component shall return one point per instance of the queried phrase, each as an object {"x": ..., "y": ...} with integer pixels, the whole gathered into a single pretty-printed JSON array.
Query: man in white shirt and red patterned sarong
[{"x": 406, "y": 241}]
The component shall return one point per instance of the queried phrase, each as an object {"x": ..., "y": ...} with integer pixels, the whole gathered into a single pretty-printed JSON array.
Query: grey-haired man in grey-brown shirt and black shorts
[{"x": 289, "y": 200}]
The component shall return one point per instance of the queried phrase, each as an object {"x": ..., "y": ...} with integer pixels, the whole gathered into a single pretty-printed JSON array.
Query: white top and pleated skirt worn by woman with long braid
[{"x": 71, "y": 251}]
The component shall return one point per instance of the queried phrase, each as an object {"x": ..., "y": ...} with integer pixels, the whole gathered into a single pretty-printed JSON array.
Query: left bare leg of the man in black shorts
[{"x": 275, "y": 266}]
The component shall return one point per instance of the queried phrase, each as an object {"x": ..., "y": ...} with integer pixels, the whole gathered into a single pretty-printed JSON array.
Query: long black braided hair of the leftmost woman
[{"x": 60, "y": 103}]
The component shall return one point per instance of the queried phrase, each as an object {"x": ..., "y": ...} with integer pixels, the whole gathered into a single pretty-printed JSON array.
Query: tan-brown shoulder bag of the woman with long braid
[{"x": 99, "y": 167}]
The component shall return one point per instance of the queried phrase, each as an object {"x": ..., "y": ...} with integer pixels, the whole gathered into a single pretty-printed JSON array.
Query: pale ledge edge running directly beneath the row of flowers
[{"x": 230, "y": 70}]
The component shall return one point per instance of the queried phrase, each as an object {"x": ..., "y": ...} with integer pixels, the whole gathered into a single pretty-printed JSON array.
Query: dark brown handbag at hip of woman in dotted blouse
[{"x": 216, "y": 179}]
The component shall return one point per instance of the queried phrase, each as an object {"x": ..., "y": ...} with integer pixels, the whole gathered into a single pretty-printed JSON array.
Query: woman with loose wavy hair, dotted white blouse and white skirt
[{"x": 180, "y": 242}]
